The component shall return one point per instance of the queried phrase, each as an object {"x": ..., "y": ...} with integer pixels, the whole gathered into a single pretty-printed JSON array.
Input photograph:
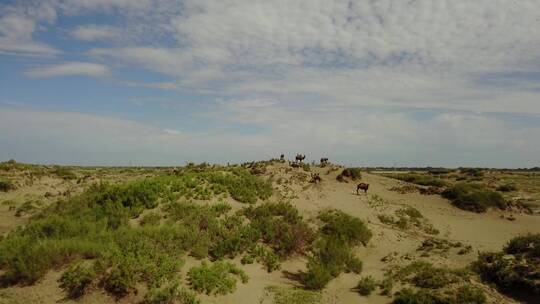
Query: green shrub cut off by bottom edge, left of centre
[{"x": 170, "y": 293}]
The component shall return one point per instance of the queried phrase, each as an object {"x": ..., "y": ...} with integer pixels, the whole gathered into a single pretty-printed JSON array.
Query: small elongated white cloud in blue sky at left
[{"x": 69, "y": 69}]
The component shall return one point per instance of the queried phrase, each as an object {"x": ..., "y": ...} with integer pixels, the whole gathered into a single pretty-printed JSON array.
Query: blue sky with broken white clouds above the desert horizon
[{"x": 365, "y": 82}]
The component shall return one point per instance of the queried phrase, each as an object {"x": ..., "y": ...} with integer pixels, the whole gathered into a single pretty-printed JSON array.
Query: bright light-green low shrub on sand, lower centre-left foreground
[{"x": 217, "y": 278}]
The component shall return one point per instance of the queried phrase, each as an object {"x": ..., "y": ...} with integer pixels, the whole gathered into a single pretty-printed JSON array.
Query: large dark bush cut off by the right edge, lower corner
[{"x": 516, "y": 268}]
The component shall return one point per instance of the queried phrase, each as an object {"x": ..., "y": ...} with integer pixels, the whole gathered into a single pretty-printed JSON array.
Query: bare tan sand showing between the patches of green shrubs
[{"x": 482, "y": 231}]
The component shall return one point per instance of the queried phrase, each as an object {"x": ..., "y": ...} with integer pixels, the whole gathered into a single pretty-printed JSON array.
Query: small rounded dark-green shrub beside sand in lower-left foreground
[{"x": 76, "y": 279}]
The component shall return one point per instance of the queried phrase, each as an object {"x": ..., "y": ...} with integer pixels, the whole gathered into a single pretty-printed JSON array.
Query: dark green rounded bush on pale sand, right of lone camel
[{"x": 474, "y": 197}]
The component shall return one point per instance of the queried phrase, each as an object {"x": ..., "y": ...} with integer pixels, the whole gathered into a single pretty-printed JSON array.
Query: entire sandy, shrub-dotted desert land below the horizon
[{"x": 275, "y": 231}]
